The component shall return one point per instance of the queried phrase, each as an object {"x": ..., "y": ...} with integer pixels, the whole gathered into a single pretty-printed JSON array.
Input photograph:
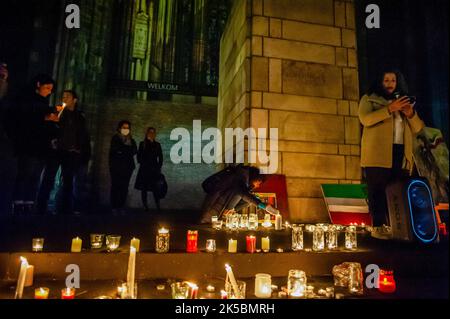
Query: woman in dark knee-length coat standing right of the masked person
[{"x": 150, "y": 158}]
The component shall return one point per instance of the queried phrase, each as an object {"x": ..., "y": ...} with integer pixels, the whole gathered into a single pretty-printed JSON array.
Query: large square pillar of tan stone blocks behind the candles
[{"x": 292, "y": 65}]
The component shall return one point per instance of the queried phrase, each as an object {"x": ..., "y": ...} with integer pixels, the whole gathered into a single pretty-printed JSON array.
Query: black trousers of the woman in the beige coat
[{"x": 377, "y": 178}]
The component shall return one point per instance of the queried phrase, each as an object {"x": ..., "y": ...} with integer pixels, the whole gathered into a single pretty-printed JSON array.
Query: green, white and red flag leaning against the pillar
[{"x": 347, "y": 203}]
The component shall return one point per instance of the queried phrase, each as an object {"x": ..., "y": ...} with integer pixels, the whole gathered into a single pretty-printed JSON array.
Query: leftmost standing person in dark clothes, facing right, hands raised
[{"x": 30, "y": 140}]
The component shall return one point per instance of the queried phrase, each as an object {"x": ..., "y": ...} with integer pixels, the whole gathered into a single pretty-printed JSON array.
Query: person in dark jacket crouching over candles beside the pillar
[{"x": 230, "y": 189}]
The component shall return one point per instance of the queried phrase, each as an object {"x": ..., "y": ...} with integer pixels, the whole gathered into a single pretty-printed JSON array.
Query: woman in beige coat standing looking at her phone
[{"x": 390, "y": 122}]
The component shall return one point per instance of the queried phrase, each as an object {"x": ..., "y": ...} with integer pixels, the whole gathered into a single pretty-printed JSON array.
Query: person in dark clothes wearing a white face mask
[{"x": 121, "y": 165}]
